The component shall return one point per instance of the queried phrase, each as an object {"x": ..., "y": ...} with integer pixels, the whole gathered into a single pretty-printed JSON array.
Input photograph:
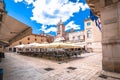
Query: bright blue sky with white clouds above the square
[{"x": 43, "y": 15}]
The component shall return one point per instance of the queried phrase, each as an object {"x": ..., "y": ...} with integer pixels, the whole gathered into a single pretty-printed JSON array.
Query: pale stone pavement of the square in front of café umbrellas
[{"x": 86, "y": 67}]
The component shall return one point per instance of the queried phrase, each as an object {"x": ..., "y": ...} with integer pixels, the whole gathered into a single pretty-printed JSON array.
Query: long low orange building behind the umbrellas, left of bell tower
[{"x": 30, "y": 39}]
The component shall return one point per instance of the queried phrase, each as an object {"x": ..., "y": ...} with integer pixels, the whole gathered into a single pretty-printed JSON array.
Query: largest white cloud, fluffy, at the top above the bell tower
[{"x": 49, "y": 12}]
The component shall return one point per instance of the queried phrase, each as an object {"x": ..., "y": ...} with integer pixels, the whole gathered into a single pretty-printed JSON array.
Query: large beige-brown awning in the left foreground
[{"x": 11, "y": 30}]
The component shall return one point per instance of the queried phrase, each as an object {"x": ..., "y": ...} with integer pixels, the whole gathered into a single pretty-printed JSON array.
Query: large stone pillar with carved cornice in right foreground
[{"x": 109, "y": 13}]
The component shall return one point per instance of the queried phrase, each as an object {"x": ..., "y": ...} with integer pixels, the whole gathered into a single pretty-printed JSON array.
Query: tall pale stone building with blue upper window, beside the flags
[{"x": 92, "y": 36}]
